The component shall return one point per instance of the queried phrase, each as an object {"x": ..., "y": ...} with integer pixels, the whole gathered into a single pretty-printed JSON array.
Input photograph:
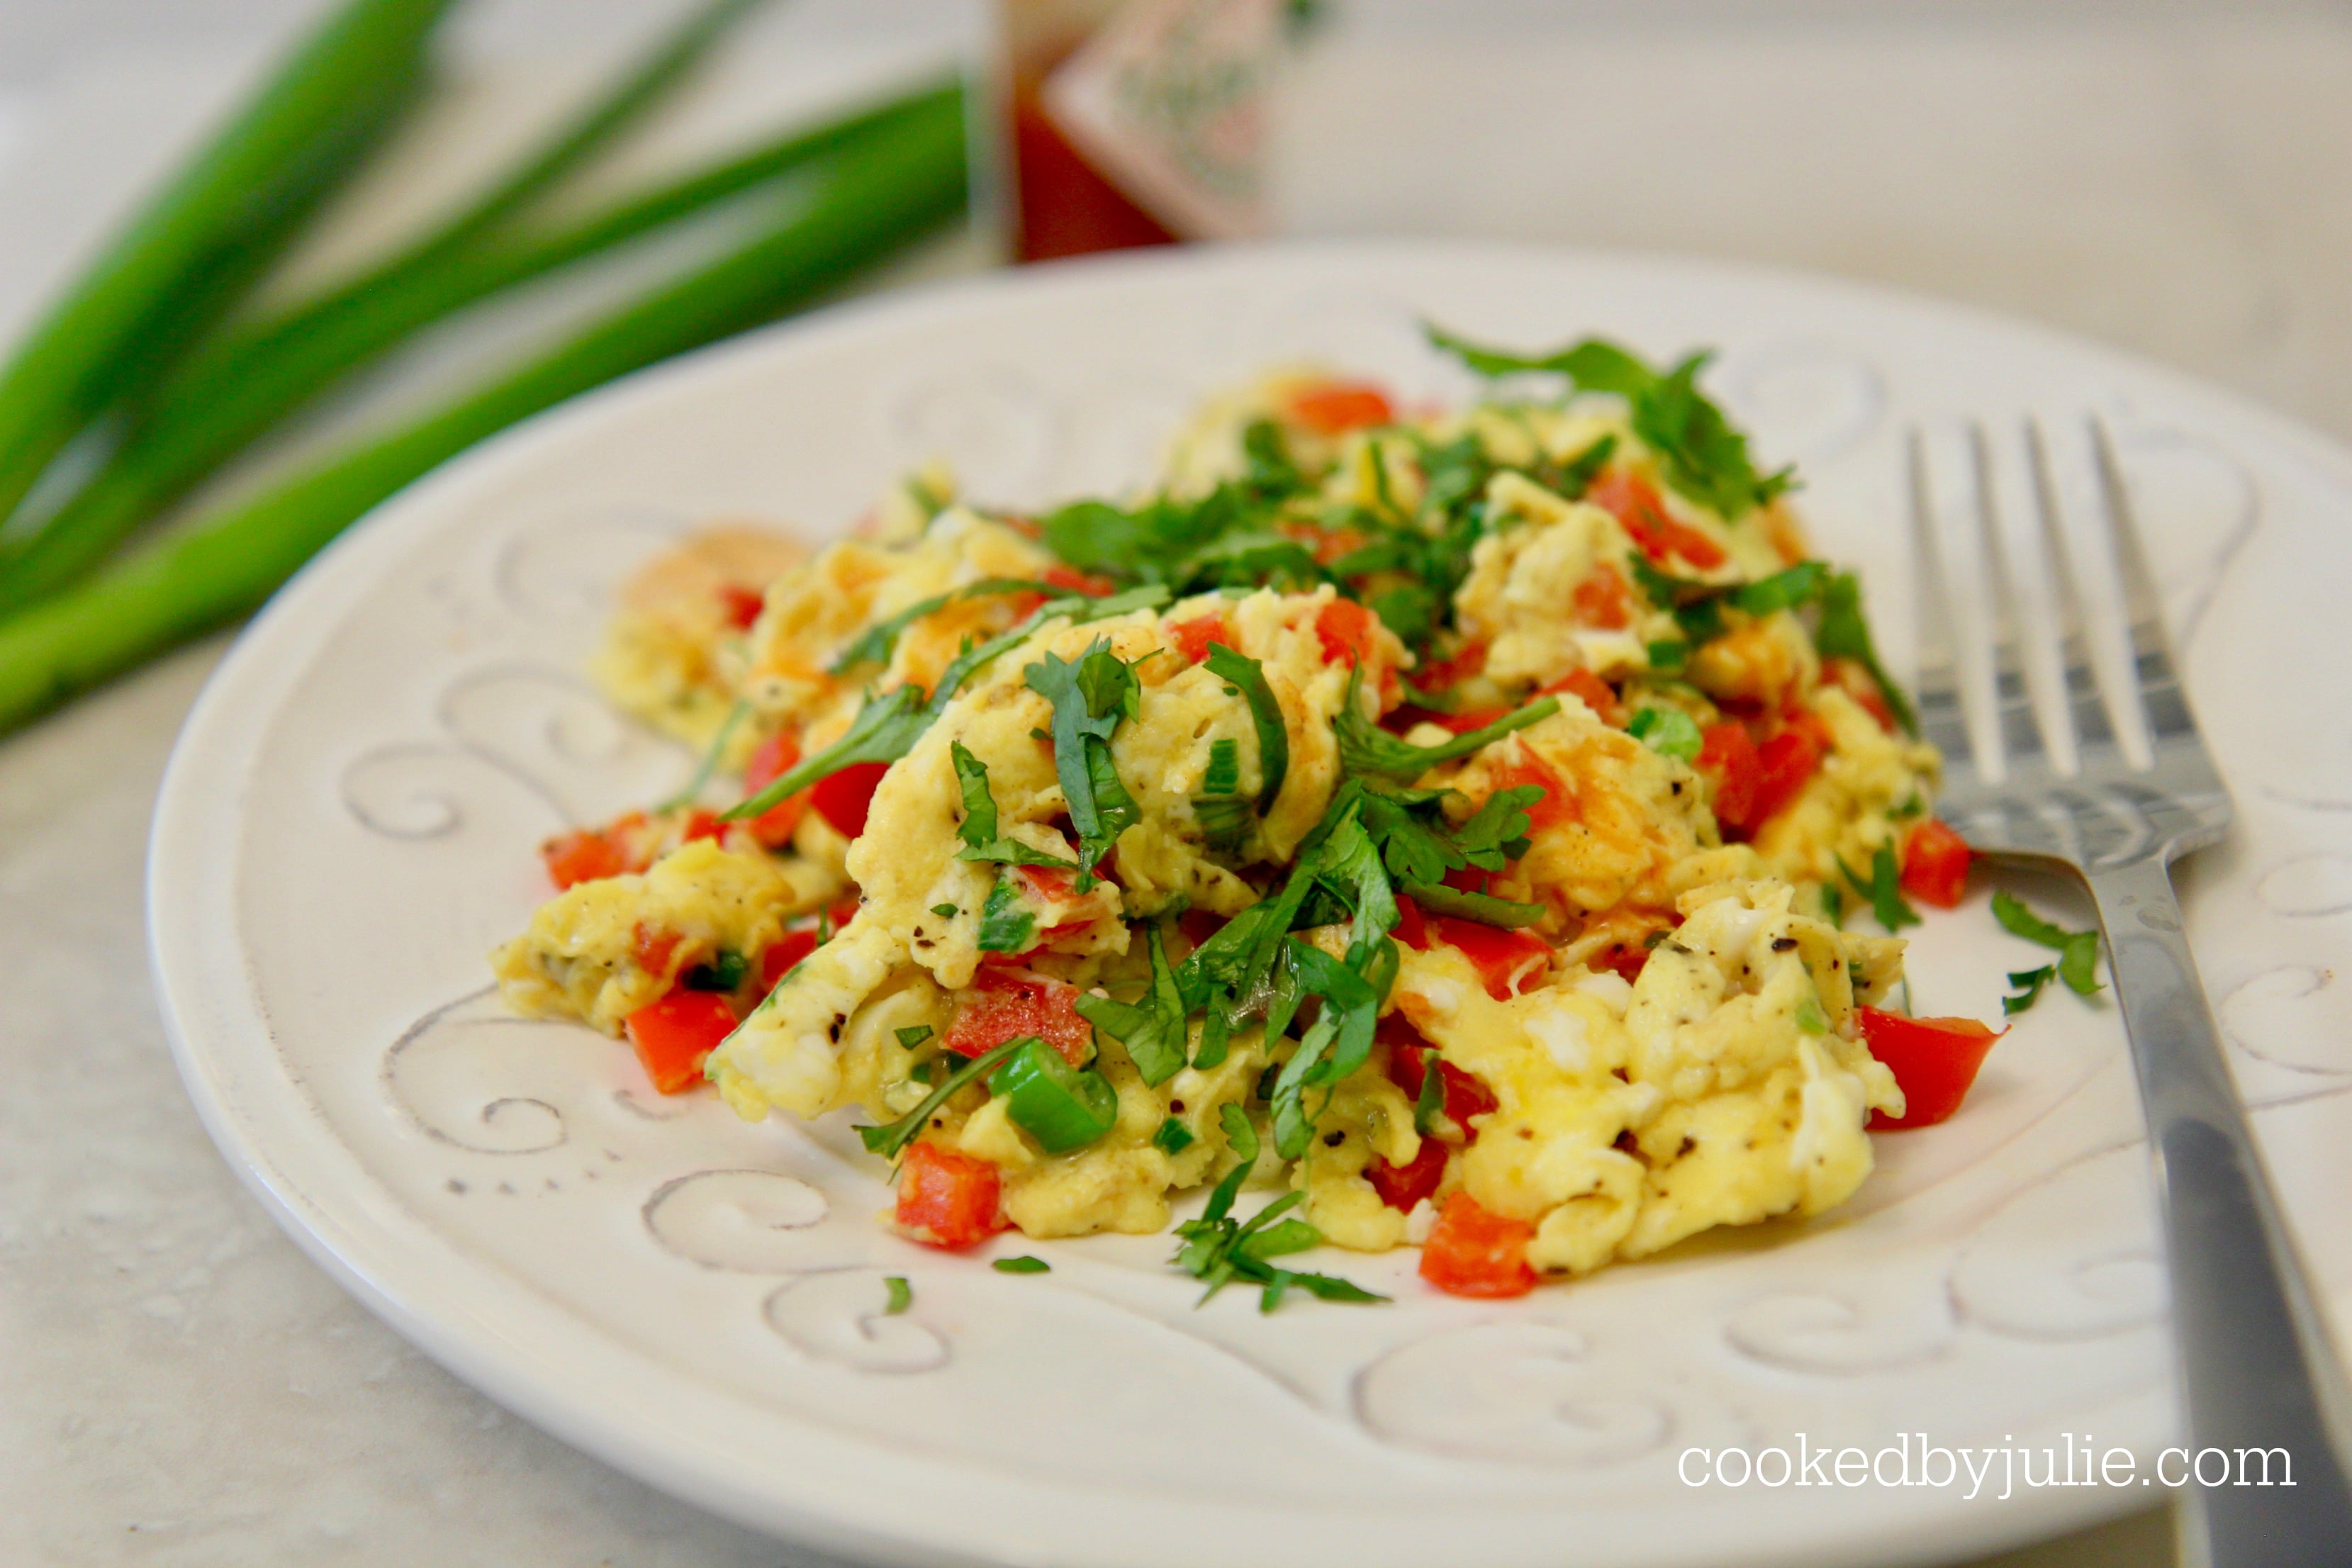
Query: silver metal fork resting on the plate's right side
[{"x": 2050, "y": 685}]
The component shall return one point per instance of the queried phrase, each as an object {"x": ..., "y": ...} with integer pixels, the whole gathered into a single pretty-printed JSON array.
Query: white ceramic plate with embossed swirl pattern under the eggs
[{"x": 352, "y": 822}]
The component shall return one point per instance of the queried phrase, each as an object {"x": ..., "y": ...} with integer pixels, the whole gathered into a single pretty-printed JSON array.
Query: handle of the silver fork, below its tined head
[{"x": 2257, "y": 1358}]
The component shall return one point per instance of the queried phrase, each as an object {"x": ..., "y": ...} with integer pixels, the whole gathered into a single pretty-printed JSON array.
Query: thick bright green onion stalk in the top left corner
[{"x": 211, "y": 229}]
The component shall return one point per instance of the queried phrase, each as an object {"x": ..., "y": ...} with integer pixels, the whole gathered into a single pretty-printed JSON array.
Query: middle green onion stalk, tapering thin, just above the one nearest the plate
[{"x": 227, "y": 398}]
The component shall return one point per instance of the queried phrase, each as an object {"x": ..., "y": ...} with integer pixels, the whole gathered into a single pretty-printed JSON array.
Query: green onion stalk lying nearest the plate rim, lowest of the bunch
[{"x": 878, "y": 196}]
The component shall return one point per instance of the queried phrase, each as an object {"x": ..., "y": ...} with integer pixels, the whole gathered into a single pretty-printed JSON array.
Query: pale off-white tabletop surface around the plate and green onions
[{"x": 180, "y": 1386}]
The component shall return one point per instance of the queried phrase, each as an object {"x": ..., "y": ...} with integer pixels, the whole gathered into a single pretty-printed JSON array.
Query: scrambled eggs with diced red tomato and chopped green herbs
[{"x": 1441, "y": 819}]
